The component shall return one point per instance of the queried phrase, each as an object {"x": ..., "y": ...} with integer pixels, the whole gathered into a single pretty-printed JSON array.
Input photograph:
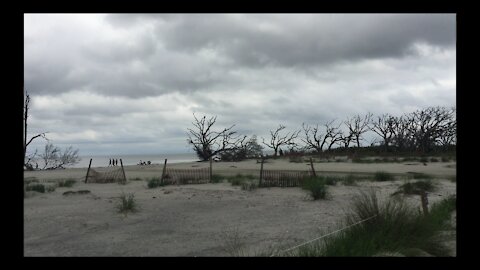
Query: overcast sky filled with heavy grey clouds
[{"x": 130, "y": 83}]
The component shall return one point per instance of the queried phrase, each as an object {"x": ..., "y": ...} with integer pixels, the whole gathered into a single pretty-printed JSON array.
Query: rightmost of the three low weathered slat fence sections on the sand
[{"x": 274, "y": 178}]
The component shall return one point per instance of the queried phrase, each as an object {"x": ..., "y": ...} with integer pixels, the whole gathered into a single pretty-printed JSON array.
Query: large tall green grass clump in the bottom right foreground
[{"x": 394, "y": 227}]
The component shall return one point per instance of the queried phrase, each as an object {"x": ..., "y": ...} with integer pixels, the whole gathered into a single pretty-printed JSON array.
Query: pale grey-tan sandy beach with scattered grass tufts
[{"x": 198, "y": 220}]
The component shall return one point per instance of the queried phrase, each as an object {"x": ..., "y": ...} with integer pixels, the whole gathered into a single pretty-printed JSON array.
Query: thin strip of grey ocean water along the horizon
[{"x": 102, "y": 161}]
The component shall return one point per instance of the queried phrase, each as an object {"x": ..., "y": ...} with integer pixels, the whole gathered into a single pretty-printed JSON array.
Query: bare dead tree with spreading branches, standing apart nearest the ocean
[{"x": 208, "y": 143}]
